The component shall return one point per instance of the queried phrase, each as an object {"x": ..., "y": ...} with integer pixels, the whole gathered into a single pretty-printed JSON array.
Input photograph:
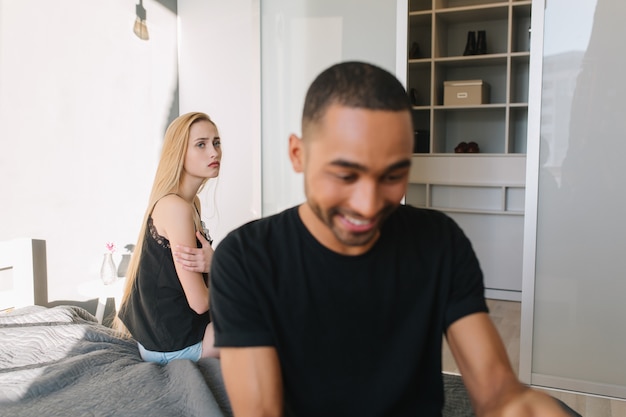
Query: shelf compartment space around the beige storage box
[{"x": 492, "y": 71}]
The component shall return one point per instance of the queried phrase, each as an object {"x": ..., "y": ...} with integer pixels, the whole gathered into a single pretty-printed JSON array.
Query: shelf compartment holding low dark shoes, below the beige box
[{"x": 483, "y": 125}]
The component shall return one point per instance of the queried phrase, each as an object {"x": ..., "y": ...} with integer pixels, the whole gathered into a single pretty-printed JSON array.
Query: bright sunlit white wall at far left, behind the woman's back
[{"x": 84, "y": 104}]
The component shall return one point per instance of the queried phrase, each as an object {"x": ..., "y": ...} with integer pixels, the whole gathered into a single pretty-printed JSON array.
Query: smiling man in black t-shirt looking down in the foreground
[{"x": 337, "y": 307}]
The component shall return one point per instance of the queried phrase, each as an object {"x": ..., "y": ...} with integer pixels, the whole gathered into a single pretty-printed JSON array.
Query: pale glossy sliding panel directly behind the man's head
[{"x": 300, "y": 39}]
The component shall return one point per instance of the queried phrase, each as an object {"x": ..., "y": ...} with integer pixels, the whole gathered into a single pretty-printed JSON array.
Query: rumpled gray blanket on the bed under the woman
[{"x": 61, "y": 362}]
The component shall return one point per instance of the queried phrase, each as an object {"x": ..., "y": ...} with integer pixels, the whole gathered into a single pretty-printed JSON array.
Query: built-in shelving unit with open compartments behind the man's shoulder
[{"x": 483, "y": 192}]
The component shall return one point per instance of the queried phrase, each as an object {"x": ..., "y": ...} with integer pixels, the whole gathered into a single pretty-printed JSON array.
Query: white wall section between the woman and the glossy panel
[{"x": 220, "y": 75}]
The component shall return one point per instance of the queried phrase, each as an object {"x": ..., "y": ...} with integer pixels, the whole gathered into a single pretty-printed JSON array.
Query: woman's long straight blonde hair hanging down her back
[{"x": 166, "y": 181}]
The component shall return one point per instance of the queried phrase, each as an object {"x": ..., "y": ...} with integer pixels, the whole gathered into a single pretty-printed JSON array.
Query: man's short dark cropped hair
[{"x": 357, "y": 85}]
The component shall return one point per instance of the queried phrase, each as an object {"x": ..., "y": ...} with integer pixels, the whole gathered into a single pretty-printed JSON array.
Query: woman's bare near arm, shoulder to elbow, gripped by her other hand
[{"x": 173, "y": 218}]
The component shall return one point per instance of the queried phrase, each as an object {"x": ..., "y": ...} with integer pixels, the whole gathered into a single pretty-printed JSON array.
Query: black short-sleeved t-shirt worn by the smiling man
[{"x": 355, "y": 335}]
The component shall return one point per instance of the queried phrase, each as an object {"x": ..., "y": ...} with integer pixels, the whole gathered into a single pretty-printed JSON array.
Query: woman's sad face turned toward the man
[{"x": 204, "y": 151}]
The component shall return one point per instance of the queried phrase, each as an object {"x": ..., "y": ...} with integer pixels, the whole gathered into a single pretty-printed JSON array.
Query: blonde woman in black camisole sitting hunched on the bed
[{"x": 165, "y": 306}]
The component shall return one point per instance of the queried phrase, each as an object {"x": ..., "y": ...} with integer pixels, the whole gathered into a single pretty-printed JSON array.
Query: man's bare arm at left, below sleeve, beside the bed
[{"x": 253, "y": 381}]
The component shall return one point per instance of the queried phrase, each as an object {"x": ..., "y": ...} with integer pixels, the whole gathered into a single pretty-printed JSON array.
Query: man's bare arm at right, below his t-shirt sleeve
[{"x": 488, "y": 375}]
